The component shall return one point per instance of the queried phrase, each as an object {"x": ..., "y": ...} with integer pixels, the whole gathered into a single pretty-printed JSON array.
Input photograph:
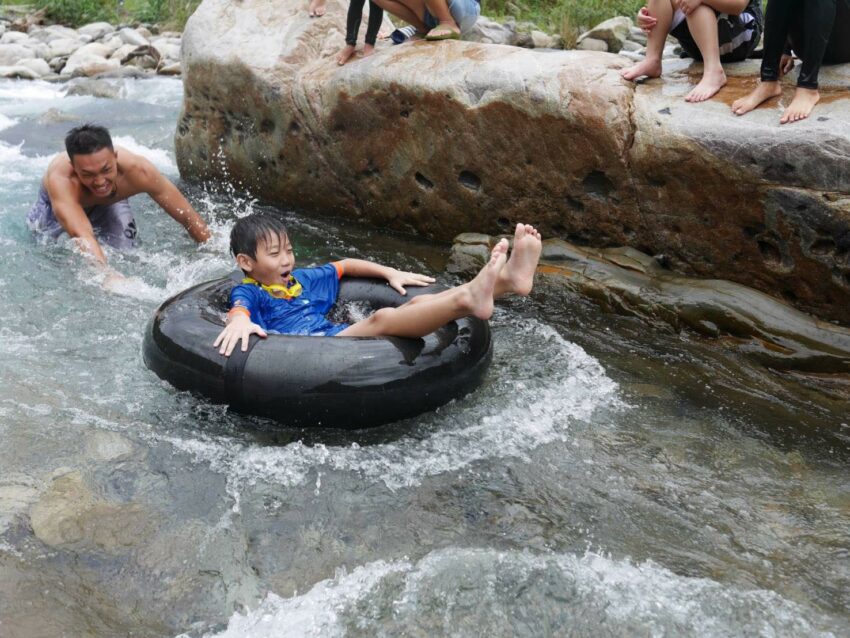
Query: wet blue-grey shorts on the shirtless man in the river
[{"x": 113, "y": 224}]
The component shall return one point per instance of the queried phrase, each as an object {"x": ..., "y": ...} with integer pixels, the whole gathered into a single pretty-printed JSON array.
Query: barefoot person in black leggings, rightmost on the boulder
[{"x": 818, "y": 31}]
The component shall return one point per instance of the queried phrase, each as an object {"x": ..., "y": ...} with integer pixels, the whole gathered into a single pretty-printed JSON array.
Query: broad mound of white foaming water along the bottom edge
[{"x": 473, "y": 592}]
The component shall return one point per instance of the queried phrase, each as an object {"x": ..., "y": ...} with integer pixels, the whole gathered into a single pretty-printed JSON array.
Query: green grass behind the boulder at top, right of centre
[{"x": 567, "y": 17}]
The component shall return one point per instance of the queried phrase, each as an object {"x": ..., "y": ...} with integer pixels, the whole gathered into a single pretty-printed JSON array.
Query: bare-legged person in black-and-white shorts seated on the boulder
[{"x": 714, "y": 31}]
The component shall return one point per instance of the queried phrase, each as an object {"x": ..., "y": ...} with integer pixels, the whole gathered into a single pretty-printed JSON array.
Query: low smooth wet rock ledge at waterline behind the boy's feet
[{"x": 626, "y": 281}]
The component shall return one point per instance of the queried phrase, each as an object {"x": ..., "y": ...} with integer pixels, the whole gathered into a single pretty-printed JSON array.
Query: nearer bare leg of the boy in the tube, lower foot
[{"x": 424, "y": 317}]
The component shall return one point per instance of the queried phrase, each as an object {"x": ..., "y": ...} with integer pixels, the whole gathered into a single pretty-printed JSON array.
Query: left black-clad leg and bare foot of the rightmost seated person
[{"x": 777, "y": 23}]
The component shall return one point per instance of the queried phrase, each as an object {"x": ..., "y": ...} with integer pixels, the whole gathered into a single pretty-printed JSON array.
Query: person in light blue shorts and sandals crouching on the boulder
[{"x": 436, "y": 19}]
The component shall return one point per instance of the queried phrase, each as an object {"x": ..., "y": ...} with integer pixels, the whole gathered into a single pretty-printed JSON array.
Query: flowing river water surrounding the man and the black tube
[{"x": 609, "y": 478}]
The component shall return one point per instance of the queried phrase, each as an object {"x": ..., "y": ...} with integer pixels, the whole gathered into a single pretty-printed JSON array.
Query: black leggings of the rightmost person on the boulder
[{"x": 817, "y": 30}]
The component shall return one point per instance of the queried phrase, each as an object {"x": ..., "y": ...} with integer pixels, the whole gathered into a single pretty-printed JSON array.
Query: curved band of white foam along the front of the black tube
[{"x": 536, "y": 409}]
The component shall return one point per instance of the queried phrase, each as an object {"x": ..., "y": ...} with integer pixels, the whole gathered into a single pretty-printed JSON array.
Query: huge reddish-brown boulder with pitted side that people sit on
[{"x": 444, "y": 138}]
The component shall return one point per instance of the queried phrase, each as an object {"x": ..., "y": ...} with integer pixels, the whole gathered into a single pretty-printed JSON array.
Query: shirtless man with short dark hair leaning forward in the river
[{"x": 85, "y": 190}]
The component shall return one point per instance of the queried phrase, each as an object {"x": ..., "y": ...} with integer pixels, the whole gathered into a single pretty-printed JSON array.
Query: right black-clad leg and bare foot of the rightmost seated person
[{"x": 818, "y": 20}]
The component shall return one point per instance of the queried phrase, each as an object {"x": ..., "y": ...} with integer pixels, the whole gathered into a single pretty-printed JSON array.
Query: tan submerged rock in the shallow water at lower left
[{"x": 69, "y": 514}]
